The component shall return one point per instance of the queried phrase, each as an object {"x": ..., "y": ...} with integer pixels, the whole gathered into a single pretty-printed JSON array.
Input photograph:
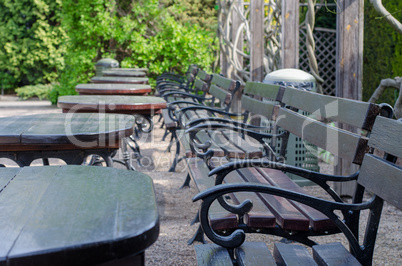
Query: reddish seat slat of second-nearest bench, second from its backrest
[{"x": 287, "y": 216}]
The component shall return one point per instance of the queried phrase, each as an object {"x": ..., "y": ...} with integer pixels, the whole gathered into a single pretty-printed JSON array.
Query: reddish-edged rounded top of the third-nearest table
[{"x": 112, "y": 104}]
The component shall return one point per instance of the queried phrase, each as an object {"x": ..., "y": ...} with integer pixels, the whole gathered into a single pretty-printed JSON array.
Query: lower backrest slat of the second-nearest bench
[{"x": 339, "y": 142}]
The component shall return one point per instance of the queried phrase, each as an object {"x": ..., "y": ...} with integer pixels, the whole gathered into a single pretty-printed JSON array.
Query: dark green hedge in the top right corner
[{"x": 382, "y": 54}]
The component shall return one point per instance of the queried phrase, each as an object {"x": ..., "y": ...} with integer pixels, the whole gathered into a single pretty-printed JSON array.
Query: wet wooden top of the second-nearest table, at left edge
[{"x": 55, "y": 131}]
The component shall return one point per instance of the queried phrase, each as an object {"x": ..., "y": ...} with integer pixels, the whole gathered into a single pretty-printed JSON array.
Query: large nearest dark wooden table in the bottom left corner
[{"x": 76, "y": 215}]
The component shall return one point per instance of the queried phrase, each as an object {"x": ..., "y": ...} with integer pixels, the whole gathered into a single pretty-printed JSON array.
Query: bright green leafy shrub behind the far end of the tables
[{"x": 136, "y": 33}]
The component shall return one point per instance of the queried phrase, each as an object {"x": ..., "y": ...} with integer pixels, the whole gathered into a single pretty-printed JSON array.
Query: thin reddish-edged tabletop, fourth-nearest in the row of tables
[{"x": 112, "y": 89}]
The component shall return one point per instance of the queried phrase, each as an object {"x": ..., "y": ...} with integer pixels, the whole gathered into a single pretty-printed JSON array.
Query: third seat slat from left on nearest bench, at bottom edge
[{"x": 285, "y": 254}]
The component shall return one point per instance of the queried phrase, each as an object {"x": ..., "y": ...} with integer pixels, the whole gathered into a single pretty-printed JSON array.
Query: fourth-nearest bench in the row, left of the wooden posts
[{"x": 213, "y": 94}]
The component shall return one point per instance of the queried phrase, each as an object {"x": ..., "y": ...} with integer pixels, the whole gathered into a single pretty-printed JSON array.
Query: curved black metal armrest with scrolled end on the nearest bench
[{"x": 237, "y": 237}]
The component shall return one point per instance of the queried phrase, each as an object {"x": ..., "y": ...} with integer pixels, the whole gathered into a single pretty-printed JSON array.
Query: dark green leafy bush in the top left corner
[{"x": 31, "y": 42}]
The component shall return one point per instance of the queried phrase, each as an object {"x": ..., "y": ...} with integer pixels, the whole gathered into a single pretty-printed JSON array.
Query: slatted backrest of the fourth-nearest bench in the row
[{"x": 222, "y": 91}]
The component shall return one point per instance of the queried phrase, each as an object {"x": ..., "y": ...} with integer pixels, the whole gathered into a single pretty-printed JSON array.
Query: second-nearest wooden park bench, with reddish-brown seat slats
[{"x": 282, "y": 105}]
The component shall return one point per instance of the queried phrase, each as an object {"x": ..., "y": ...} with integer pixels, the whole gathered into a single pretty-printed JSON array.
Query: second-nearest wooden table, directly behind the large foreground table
[{"x": 70, "y": 137}]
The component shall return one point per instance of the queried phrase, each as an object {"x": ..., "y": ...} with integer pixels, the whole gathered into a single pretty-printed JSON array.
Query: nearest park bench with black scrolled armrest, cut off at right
[{"x": 379, "y": 175}]
